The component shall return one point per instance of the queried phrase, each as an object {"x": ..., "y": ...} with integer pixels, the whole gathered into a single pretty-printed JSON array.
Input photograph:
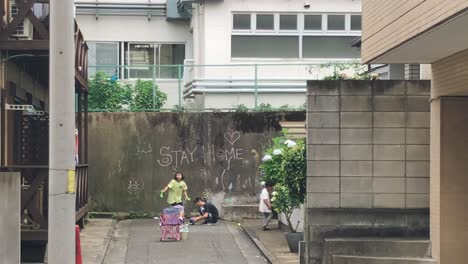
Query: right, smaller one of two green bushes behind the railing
[{"x": 143, "y": 96}]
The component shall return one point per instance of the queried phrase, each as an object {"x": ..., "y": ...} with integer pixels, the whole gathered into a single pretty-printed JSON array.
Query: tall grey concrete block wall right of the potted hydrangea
[{"x": 368, "y": 159}]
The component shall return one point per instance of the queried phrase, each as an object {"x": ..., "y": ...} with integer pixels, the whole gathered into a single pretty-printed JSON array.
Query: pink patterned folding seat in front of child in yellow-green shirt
[{"x": 170, "y": 224}]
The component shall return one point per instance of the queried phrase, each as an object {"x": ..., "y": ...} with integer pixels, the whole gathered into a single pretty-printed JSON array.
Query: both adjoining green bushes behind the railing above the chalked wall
[{"x": 106, "y": 93}]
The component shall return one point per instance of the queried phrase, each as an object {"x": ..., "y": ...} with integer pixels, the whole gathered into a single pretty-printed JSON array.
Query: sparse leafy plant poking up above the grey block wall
[{"x": 349, "y": 71}]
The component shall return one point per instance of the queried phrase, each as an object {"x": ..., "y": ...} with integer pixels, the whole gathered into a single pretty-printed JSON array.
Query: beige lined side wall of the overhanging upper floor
[{"x": 388, "y": 24}]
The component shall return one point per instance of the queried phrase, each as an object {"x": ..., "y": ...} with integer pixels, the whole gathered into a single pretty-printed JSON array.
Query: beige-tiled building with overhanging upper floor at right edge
[{"x": 429, "y": 32}]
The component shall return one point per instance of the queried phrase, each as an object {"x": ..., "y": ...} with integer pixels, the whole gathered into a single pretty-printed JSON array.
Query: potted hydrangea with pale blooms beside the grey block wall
[{"x": 286, "y": 168}]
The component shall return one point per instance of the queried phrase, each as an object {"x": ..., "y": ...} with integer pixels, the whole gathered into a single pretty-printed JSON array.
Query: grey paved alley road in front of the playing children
[{"x": 137, "y": 242}]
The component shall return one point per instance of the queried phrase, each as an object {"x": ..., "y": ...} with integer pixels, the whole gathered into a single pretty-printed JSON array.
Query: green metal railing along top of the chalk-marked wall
[{"x": 183, "y": 83}]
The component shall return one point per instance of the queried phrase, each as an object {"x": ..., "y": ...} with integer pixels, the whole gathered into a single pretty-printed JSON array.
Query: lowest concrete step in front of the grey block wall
[{"x": 344, "y": 259}]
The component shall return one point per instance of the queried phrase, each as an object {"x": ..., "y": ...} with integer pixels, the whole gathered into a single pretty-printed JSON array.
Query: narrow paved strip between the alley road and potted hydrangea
[{"x": 273, "y": 243}]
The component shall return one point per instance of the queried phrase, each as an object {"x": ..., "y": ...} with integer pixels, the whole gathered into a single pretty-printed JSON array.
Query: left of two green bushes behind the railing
[{"x": 105, "y": 94}]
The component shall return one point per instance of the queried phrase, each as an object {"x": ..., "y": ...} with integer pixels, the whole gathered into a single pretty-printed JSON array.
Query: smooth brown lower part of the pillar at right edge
[{"x": 449, "y": 181}]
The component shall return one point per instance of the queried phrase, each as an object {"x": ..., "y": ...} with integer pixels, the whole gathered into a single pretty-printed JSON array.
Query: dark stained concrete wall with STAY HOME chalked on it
[{"x": 134, "y": 155}]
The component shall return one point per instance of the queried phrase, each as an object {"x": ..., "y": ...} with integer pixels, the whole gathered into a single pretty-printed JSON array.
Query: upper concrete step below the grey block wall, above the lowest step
[{"x": 377, "y": 247}]
